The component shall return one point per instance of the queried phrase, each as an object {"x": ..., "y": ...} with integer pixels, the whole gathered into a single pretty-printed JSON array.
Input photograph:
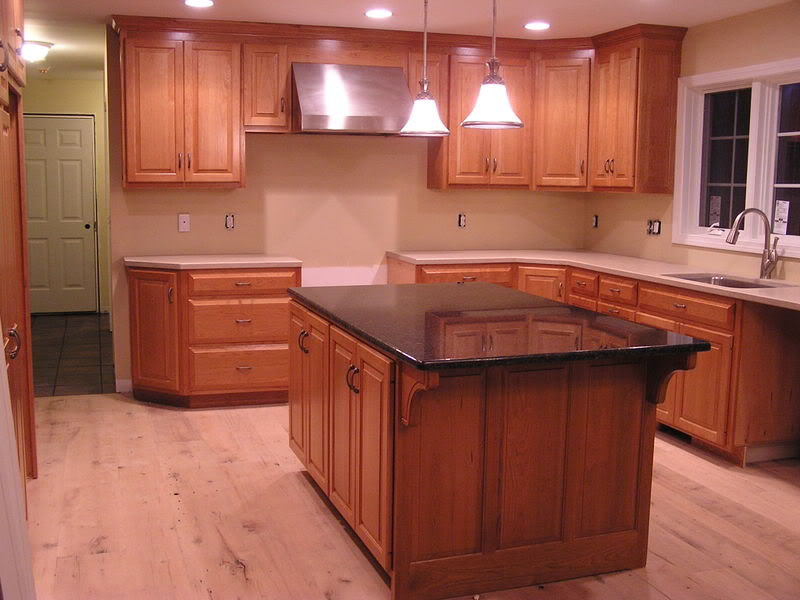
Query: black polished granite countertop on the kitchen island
[{"x": 448, "y": 325}]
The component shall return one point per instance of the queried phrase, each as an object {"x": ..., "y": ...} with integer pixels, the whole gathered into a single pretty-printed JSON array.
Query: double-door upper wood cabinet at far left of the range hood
[{"x": 182, "y": 112}]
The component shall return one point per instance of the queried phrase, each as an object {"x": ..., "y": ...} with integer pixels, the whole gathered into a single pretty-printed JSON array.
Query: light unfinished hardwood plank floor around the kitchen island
[{"x": 141, "y": 502}]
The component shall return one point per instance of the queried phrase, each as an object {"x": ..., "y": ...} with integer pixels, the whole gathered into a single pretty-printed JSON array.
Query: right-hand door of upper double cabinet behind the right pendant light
[{"x": 511, "y": 148}]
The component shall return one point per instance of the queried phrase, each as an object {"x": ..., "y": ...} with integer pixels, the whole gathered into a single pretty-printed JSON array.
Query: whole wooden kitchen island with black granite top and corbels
[{"x": 478, "y": 438}]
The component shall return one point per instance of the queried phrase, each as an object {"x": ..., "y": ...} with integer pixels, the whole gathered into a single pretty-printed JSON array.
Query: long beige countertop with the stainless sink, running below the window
[{"x": 786, "y": 296}]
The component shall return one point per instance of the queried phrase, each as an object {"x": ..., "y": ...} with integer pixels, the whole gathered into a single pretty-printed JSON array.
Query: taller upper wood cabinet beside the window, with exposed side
[{"x": 633, "y": 109}]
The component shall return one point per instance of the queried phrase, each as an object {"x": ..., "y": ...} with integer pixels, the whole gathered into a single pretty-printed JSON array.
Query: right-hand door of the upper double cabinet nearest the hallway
[{"x": 213, "y": 112}]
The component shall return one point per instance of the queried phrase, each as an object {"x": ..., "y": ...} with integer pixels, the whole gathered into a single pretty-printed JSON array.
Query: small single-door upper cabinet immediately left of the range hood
[{"x": 266, "y": 95}]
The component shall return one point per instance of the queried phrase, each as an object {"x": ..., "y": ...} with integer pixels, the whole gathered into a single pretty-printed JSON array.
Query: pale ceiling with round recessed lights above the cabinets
[{"x": 66, "y": 22}]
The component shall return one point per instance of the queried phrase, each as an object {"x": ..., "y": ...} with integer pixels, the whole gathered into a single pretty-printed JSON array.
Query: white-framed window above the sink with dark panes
[{"x": 738, "y": 146}]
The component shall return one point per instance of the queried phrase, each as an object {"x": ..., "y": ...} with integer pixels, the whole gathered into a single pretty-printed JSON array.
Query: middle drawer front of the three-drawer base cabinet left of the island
[{"x": 238, "y": 320}]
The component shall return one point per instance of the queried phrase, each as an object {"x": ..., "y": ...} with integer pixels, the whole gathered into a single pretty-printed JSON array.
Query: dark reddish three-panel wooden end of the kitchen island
[{"x": 512, "y": 476}]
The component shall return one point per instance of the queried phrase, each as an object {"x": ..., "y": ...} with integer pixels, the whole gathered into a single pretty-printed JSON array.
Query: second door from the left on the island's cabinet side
[{"x": 315, "y": 389}]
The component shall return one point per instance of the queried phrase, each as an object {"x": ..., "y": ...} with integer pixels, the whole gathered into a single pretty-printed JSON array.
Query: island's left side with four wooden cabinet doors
[{"x": 340, "y": 407}]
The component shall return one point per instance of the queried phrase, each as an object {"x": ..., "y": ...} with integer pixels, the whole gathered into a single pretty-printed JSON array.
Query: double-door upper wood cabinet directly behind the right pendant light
[{"x": 483, "y": 156}]
